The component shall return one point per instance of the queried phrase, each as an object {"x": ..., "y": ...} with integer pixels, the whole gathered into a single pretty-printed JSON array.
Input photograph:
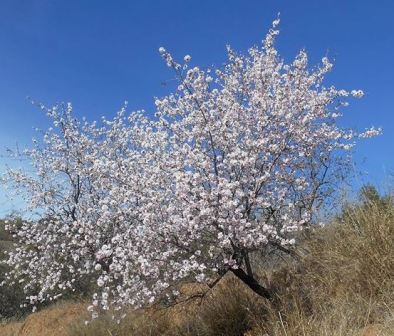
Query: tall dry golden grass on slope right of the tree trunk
[{"x": 345, "y": 283}]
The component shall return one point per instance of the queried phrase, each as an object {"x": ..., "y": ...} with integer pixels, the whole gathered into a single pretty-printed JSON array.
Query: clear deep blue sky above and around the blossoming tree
[{"x": 98, "y": 54}]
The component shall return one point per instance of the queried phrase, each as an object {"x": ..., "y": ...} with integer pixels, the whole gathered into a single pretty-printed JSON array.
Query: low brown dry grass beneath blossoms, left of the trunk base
[{"x": 229, "y": 309}]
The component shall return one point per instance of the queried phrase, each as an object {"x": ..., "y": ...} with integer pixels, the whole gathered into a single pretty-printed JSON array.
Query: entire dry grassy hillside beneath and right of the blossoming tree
[{"x": 341, "y": 285}]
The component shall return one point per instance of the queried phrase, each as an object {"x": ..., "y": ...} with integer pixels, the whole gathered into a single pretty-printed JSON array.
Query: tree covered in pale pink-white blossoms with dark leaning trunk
[{"x": 235, "y": 160}]
